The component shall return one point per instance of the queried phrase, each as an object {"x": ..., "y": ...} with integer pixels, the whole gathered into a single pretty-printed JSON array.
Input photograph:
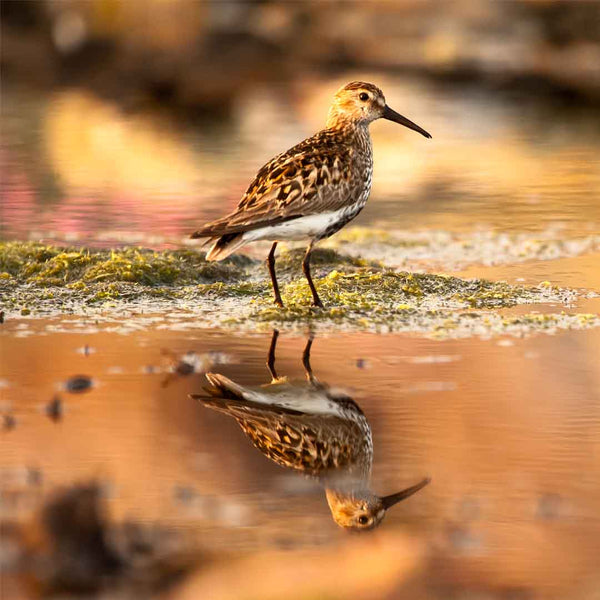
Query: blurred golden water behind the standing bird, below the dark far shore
[{"x": 78, "y": 165}]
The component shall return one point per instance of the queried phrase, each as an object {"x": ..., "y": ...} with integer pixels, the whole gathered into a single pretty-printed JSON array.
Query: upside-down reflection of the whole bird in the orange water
[{"x": 313, "y": 429}]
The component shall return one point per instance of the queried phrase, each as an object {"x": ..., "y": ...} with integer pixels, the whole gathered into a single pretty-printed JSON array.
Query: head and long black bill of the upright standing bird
[{"x": 360, "y": 102}]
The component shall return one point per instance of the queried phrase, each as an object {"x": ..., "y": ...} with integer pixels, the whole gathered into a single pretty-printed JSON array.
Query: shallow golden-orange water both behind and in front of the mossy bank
[{"x": 507, "y": 427}]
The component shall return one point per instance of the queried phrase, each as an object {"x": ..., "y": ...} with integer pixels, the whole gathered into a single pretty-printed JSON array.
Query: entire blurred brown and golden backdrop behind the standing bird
[{"x": 153, "y": 116}]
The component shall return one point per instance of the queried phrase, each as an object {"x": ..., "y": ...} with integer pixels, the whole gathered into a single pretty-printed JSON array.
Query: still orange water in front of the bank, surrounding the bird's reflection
[{"x": 507, "y": 430}]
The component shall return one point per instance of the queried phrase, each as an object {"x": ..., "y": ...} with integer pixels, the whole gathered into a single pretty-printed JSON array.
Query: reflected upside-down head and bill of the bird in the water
[{"x": 363, "y": 510}]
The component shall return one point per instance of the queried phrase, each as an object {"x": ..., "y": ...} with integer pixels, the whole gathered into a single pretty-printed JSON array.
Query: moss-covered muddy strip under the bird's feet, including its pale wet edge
[{"x": 188, "y": 292}]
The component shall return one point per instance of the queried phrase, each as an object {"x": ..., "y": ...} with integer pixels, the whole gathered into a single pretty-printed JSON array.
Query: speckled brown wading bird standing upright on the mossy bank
[{"x": 313, "y": 189}]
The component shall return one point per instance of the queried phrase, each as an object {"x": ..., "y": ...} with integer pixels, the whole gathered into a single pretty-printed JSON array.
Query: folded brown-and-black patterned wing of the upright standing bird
[{"x": 313, "y": 177}]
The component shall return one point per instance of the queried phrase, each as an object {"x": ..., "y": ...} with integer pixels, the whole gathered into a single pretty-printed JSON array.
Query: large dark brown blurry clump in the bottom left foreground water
[{"x": 71, "y": 547}]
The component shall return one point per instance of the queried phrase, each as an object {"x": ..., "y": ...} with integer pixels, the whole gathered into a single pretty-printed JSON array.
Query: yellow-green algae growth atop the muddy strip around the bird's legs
[{"x": 347, "y": 283}]
